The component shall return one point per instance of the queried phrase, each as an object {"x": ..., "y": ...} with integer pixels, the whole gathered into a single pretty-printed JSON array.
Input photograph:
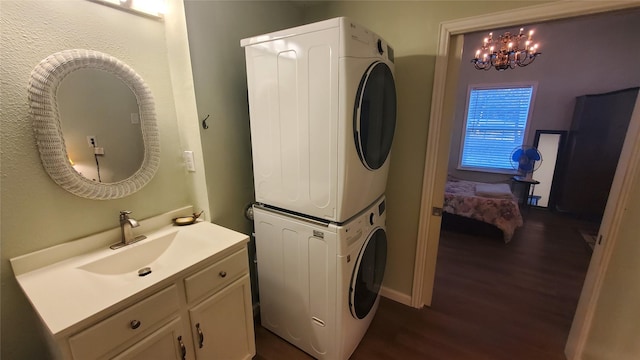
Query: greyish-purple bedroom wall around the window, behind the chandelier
[{"x": 587, "y": 55}]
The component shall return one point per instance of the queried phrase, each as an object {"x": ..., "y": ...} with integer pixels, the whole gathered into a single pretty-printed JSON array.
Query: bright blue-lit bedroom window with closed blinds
[{"x": 495, "y": 125}]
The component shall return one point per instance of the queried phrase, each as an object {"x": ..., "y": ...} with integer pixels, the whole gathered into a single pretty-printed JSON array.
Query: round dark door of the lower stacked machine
[{"x": 368, "y": 274}]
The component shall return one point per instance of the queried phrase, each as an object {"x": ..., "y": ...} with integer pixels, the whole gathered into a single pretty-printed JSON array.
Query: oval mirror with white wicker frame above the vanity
[{"x": 94, "y": 122}]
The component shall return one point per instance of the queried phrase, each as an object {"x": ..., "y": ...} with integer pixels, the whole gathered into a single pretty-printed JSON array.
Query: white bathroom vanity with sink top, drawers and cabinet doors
[{"x": 183, "y": 293}]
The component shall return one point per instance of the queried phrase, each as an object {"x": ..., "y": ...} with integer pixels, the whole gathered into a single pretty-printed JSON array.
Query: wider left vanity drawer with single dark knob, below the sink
[{"x": 124, "y": 325}]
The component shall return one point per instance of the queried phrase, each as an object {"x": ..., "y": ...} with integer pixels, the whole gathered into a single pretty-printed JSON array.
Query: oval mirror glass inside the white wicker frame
[{"x": 100, "y": 121}]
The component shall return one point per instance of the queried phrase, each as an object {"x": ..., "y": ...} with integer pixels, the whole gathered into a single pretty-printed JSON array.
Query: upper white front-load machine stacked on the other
[{"x": 322, "y": 105}]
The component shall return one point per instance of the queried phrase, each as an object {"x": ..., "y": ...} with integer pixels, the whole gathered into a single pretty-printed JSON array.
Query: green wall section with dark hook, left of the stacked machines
[{"x": 215, "y": 30}]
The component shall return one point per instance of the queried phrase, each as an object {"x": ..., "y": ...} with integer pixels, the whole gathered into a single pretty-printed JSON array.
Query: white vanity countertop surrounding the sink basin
[{"x": 64, "y": 294}]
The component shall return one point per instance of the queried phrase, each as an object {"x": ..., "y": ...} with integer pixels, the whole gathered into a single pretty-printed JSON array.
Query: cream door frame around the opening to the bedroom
[{"x": 448, "y": 56}]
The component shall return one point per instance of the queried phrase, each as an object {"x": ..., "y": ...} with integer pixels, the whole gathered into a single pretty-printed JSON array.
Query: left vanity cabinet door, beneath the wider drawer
[{"x": 167, "y": 343}]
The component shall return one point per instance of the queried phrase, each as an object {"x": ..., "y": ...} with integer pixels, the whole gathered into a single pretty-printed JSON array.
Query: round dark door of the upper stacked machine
[{"x": 374, "y": 116}]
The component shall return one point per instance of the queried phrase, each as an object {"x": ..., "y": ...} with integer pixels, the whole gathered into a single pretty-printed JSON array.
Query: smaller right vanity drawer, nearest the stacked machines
[{"x": 216, "y": 276}]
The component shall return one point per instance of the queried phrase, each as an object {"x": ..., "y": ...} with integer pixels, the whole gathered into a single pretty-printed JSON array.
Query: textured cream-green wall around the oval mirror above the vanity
[{"x": 36, "y": 213}]
